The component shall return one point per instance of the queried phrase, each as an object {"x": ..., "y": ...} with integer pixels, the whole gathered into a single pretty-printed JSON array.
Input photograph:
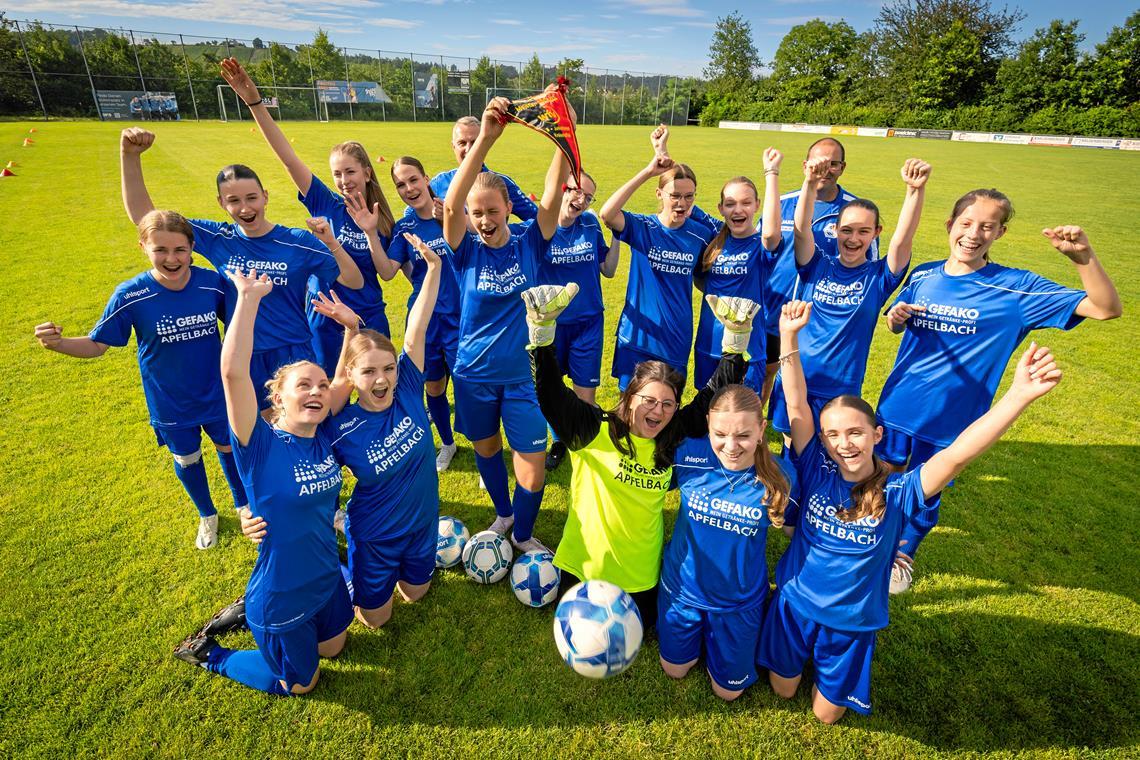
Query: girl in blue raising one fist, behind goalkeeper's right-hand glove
[{"x": 737, "y": 263}]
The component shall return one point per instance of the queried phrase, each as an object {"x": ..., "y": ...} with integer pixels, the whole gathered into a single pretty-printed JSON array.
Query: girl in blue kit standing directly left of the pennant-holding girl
[{"x": 443, "y": 340}]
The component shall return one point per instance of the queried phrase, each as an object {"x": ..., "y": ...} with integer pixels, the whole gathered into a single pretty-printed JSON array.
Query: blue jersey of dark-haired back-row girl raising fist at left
[{"x": 289, "y": 256}]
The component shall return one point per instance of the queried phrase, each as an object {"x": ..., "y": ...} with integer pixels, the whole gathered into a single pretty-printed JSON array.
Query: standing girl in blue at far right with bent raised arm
[{"x": 962, "y": 321}]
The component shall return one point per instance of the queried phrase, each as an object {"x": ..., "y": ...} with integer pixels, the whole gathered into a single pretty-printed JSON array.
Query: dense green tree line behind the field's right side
[{"x": 931, "y": 64}]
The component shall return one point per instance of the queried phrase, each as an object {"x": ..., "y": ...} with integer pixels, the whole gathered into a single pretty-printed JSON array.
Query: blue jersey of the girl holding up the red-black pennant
[{"x": 493, "y": 318}]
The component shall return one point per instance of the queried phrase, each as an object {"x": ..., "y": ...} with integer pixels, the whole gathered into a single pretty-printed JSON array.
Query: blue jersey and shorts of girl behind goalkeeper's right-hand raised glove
[{"x": 740, "y": 271}]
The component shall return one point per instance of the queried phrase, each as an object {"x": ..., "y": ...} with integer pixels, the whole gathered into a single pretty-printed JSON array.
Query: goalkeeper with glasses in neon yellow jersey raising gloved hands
[{"x": 623, "y": 459}]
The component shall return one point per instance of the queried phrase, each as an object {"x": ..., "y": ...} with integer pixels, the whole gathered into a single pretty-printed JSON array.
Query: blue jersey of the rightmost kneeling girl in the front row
[{"x": 834, "y": 573}]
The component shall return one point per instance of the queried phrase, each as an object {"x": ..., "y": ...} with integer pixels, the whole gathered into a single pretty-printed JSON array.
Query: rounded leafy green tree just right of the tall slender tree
[{"x": 811, "y": 60}]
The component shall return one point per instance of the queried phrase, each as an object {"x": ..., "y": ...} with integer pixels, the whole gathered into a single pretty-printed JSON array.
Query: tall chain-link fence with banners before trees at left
[{"x": 48, "y": 70}]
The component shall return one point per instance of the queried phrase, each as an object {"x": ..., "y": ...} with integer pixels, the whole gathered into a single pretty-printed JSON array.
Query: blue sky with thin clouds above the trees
[{"x": 652, "y": 36}]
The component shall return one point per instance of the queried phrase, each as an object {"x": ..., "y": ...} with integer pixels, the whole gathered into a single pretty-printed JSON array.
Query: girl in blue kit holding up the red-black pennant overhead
[{"x": 492, "y": 372}]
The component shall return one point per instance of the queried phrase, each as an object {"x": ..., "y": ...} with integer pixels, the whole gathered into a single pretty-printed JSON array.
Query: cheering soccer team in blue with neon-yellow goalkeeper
[{"x": 307, "y": 382}]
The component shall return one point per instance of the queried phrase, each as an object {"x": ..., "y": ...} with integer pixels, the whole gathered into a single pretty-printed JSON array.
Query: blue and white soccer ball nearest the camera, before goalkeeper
[{"x": 598, "y": 630}]
